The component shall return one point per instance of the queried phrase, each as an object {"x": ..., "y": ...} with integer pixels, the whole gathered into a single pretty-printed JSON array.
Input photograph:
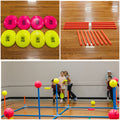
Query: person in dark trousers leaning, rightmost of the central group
[{"x": 71, "y": 94}]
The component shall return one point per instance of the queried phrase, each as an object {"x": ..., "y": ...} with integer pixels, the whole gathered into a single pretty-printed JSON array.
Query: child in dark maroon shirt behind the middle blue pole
[{"x": 54, "y": 90}]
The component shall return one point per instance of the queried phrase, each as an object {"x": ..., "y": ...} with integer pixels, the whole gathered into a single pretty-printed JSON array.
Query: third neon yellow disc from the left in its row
[{"x": 37, "y": 39}]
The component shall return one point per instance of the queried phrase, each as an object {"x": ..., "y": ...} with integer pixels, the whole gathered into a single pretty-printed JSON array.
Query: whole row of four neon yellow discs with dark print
[{"x": 23, "y": 38}]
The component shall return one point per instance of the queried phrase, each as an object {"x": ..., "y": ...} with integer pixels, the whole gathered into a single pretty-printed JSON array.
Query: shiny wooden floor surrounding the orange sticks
[{"x": 92, "y": 11}]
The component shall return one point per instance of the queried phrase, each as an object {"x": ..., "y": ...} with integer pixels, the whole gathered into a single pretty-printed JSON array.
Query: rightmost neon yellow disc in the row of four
[{"x": 52, "y": 39}]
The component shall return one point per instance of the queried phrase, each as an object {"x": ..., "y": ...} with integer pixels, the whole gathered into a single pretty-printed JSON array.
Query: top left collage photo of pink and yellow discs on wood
[{"x": 30, "y": 30}]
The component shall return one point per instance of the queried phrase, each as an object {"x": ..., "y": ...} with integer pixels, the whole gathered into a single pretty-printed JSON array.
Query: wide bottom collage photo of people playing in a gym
[{"x": 85, "y": 95}]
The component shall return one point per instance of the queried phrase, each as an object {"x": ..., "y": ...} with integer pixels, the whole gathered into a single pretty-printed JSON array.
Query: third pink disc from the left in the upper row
[{"x": 37, "y": 22}]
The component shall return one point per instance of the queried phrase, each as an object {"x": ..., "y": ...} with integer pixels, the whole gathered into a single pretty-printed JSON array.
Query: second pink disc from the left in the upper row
[{"x": 24, "y": 22}]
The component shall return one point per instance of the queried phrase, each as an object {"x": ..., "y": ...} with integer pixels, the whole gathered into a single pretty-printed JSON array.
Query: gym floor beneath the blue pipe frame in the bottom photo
[{"x": 51, "y": 111}]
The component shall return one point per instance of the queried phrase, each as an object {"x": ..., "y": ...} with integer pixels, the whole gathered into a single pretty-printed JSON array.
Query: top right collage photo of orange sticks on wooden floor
[{"x": 90, "y": 30}]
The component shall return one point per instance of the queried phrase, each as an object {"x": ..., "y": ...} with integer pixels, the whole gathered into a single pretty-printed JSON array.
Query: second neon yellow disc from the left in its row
[{"x": 23, "y": 38}]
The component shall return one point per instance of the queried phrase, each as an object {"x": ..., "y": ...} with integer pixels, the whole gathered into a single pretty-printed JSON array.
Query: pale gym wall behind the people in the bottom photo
[{"x": 19, "y": 77}]
